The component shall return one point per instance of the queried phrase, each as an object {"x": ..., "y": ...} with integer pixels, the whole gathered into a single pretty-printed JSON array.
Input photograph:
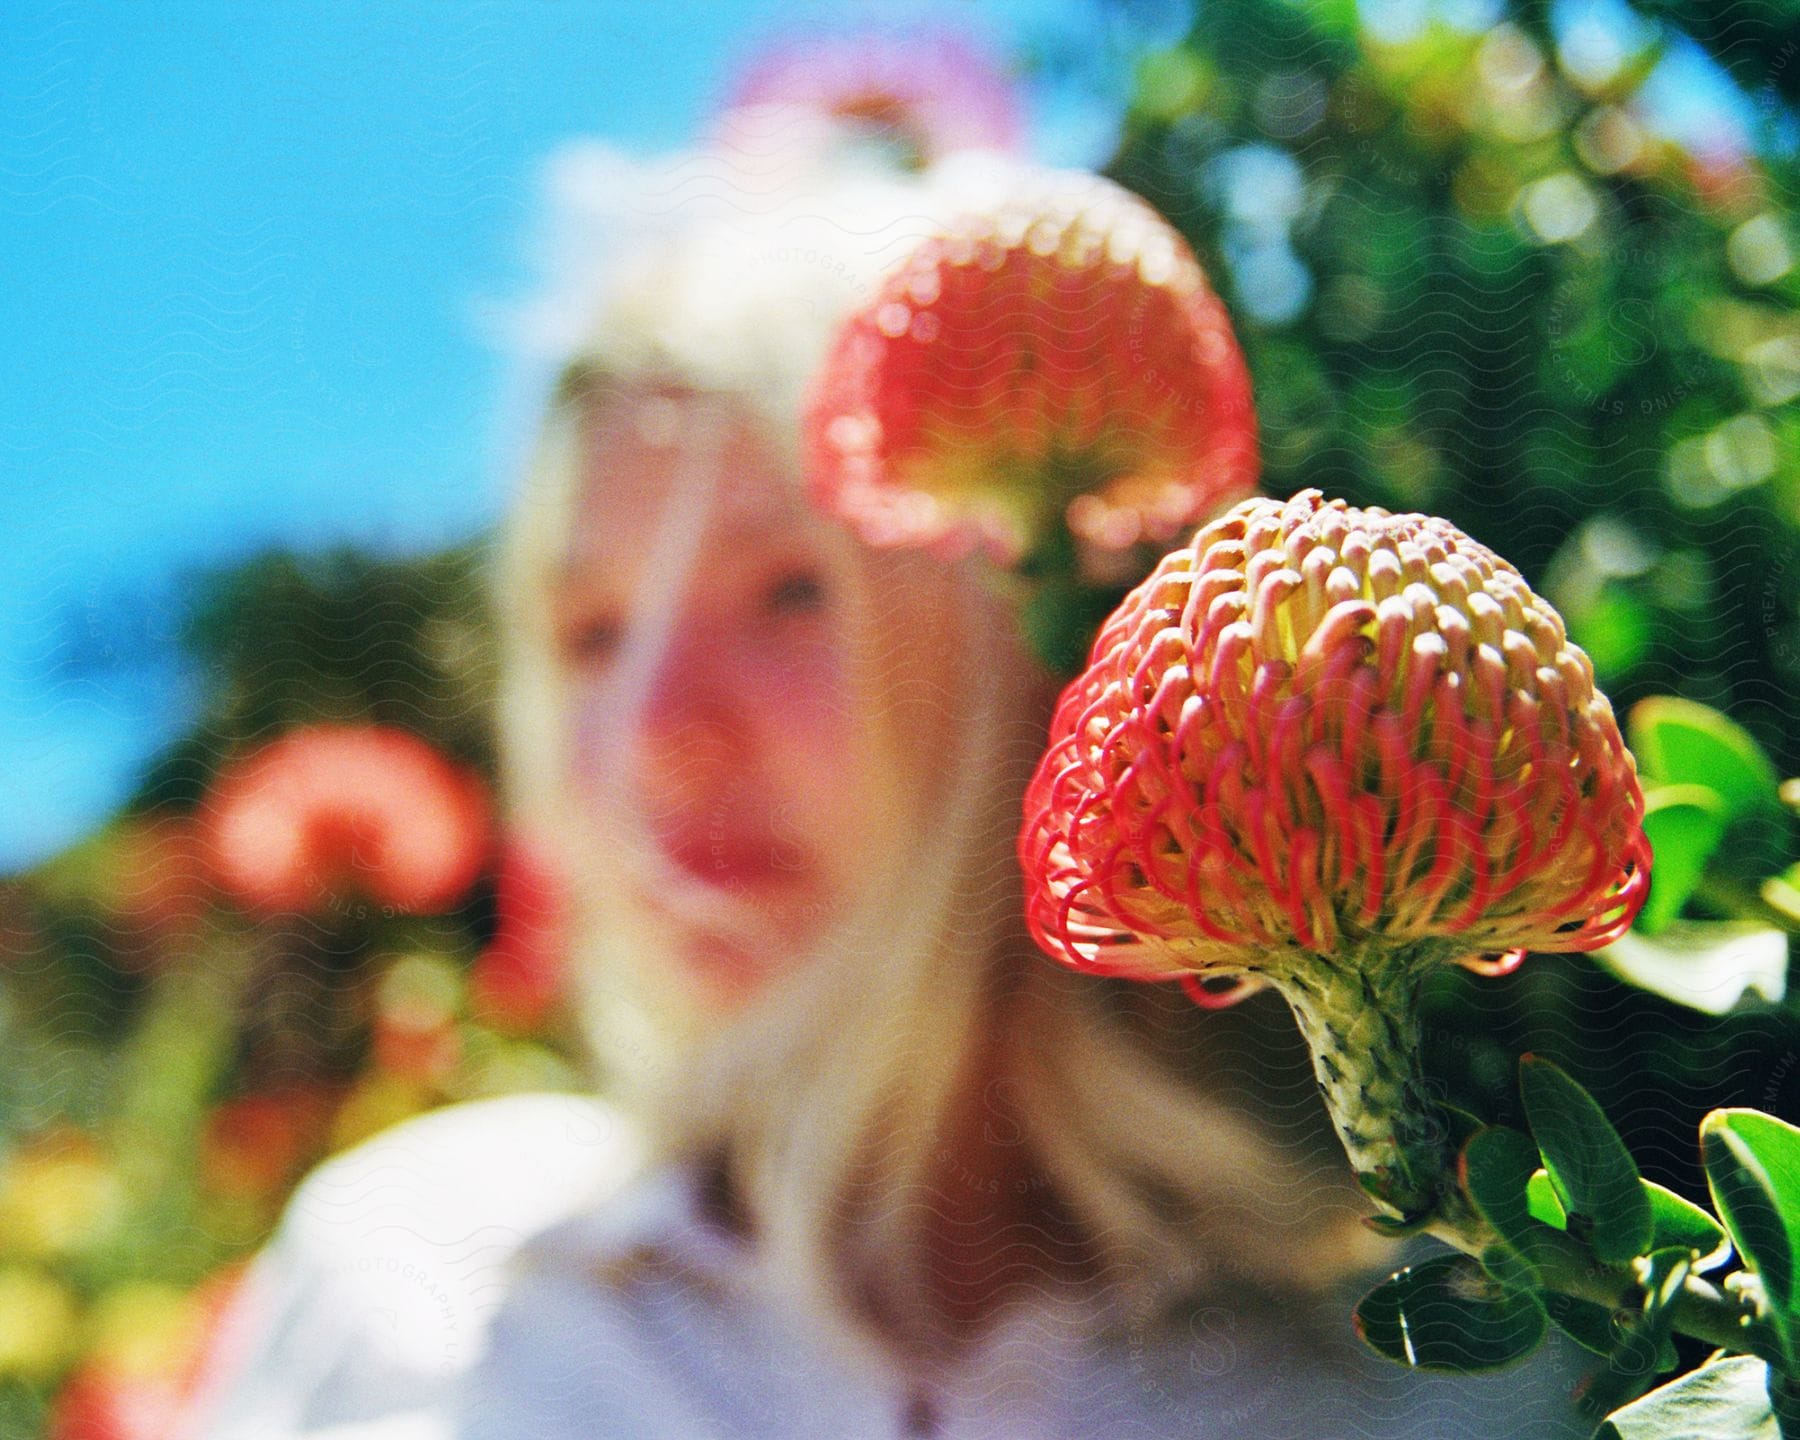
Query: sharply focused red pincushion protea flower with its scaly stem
[{"x": 1326, "y": 750}]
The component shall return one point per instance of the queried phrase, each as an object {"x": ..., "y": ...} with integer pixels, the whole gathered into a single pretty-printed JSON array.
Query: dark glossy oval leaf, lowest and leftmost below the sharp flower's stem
[{"x": 1448, "y": 1315}]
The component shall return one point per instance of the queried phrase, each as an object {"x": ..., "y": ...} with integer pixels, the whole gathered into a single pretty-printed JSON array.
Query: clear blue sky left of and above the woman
[{"x": 247, "y": 247}]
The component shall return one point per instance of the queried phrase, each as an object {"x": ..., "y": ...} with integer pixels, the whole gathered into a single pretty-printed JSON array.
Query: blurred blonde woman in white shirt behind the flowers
[{"x": 870, "y": 1165}]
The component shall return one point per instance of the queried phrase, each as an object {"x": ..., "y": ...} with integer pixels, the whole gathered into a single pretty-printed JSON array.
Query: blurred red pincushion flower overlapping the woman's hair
[{"x": 1052, "y": 355}]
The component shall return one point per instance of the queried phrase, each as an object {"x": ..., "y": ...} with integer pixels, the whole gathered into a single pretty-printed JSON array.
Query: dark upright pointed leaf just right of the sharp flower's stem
[{"x": 1590, "y": 1167}]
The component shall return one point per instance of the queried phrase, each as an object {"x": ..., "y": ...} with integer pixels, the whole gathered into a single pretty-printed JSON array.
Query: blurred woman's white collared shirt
[{"x": 503, "y": 1272}]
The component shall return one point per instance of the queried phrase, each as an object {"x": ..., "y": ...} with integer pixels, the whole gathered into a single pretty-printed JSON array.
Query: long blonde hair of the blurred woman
[{"x": 829, "y": 1095}]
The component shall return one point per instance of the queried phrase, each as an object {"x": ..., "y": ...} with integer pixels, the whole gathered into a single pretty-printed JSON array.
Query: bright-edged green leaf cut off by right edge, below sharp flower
[{"x": 1754, "y": 1169}]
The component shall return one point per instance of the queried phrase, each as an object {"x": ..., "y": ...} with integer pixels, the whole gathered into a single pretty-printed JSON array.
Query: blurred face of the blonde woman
[{"x": 730, "y": 737}]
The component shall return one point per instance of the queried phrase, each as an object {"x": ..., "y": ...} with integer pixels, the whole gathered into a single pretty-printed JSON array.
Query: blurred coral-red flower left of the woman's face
[{"x": 332, "y": 813}]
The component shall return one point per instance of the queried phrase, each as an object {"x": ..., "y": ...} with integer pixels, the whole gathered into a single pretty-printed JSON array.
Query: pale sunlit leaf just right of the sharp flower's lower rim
[{"x": 1704, "y": 964}]
